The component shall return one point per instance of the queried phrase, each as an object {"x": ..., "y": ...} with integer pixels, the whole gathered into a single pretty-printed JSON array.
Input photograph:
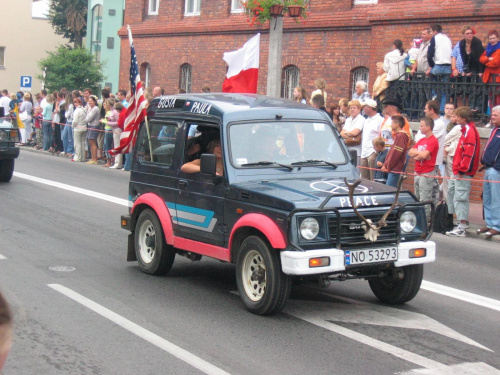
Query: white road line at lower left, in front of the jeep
[{"x": 143, "y": 333}]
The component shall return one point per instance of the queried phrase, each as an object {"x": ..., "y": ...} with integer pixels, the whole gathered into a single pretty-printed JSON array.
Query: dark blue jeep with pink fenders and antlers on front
[{"x": 281, "y": 201}]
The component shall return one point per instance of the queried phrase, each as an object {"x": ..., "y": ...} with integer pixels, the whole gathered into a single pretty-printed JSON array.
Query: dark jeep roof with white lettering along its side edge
[{"x": 222, "y": 104}]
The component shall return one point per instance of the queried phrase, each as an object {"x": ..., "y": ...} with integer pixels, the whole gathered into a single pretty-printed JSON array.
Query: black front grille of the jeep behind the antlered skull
[{"x": 352, "y": 232}]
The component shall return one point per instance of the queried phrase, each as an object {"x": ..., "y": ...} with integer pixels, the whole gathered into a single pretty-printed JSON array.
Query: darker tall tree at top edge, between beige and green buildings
[{"x": 69, "y": 19}]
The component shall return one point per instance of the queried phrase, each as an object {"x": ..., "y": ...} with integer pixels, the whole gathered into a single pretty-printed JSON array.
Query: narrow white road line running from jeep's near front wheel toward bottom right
[{"x": 313, "y": 317}]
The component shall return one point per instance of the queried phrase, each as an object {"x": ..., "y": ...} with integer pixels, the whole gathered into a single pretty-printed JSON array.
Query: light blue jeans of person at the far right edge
[{"x": 491, "y": 198}]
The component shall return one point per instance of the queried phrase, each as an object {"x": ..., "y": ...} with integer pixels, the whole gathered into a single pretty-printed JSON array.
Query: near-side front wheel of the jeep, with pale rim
[{"x": 263, "y": 287}]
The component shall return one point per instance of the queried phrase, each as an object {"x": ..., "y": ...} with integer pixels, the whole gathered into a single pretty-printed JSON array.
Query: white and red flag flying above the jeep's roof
[{"x": 243, "y": 68}]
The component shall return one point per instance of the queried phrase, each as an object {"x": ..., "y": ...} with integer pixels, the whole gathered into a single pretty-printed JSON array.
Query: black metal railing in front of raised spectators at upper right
[{"x": 415, "y": 90}]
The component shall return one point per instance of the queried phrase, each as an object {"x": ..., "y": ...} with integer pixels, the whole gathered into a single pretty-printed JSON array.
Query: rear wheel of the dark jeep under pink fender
[{"x": 154, "y": 255}]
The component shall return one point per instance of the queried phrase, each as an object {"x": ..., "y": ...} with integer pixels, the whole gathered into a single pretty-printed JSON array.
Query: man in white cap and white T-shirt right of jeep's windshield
[{"x": 371, "y": 130}]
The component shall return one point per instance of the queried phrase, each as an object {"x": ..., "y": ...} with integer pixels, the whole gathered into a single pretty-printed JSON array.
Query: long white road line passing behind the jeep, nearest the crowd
[{"x": 426, "y": 285}]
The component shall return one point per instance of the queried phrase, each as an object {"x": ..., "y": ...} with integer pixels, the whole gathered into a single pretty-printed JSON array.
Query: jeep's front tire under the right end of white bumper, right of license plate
[{"x": 395, "y": 291}]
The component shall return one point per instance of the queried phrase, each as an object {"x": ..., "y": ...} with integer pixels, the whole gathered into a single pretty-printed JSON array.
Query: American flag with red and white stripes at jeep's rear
[{"x": 136, "y": 110}]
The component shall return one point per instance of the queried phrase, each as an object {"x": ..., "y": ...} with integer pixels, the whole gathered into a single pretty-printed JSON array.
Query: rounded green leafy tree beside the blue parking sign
[{"x": 73, "y": 68}]
